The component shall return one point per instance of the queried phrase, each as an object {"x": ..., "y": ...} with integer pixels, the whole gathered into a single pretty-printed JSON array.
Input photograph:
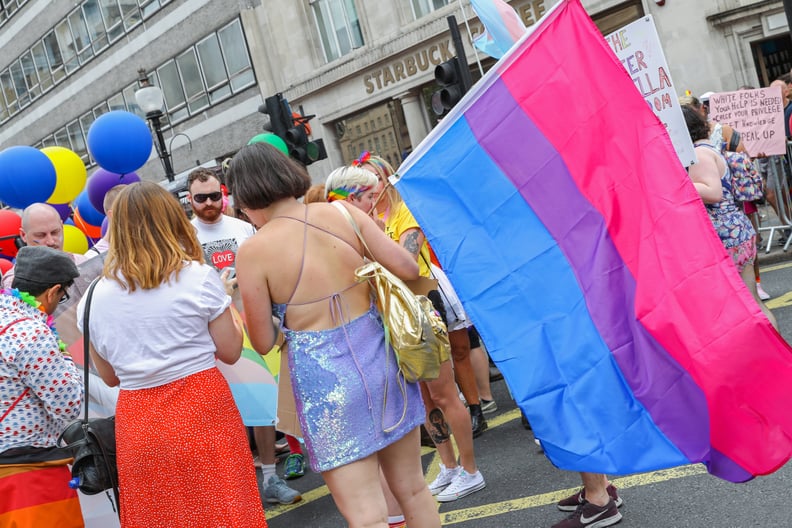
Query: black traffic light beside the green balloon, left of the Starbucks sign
[{"x": 292, "y": 129}]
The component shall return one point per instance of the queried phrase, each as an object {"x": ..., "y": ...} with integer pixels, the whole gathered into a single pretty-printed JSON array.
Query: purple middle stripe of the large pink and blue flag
[{"x": 676, "y": 404}]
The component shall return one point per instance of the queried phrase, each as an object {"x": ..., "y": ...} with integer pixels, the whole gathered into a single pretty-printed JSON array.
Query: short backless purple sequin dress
[{"x": 339, "y": 377}]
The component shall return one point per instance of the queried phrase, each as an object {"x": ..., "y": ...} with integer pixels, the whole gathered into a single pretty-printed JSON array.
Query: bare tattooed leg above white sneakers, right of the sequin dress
[{"x": 444, "y": 395}]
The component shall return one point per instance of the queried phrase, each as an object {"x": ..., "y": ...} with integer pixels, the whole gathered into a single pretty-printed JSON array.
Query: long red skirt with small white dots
[{"x": 183, "y": 457}]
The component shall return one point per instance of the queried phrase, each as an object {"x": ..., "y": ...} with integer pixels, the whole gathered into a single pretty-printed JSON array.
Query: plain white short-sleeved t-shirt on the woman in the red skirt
[{"x": 154, "y": 337}]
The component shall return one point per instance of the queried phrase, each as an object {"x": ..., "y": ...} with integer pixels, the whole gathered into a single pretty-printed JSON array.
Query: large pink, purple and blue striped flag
[{"x": 555, "y": 201}]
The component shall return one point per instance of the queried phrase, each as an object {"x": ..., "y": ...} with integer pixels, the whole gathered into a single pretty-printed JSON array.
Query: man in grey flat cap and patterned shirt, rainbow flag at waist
[{"x": 41, "y": 391}]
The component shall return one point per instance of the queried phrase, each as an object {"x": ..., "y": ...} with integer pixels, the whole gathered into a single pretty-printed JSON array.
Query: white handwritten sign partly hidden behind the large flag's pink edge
[{"x": 638, "y": 47}]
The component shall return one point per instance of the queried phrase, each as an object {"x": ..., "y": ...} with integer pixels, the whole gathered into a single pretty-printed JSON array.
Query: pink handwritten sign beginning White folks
[{"x": 757, "y": 114}]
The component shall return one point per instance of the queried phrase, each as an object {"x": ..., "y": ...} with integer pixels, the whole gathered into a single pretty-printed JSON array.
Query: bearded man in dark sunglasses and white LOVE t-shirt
[{"x": 221, "y": 235}]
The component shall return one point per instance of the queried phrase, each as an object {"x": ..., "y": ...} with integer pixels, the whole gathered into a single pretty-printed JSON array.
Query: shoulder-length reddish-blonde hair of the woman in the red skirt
[{"x": 150, "y": 238}]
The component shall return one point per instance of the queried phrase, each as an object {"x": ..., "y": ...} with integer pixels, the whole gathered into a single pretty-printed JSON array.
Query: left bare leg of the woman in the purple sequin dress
[{"x": 356, "y": 492}]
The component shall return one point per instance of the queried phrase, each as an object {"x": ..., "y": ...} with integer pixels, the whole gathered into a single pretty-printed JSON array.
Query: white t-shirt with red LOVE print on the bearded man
[{"x": 221, "y": 240}]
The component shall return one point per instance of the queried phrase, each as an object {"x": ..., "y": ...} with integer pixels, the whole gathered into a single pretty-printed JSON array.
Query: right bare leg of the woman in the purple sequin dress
[{"x": 401, "y": 465}]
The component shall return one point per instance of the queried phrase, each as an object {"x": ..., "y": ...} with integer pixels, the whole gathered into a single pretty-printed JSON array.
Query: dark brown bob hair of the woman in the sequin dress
[{"x": 260, "y": 175}]
